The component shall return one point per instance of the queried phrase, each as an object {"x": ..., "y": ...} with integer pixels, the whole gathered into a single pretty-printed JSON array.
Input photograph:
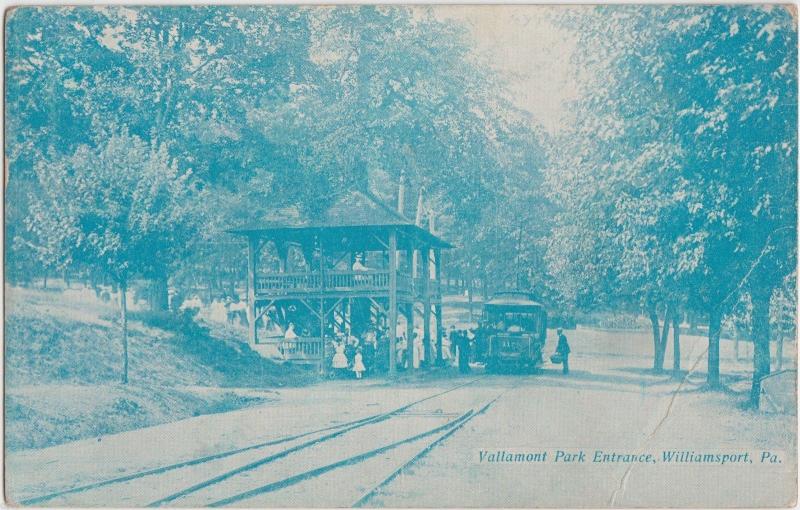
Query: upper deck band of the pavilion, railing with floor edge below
[{"x": 371, "y": 283}]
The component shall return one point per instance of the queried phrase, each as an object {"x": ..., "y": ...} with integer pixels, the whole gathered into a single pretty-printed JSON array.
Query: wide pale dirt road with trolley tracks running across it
[{"x": 446, "y": 442}]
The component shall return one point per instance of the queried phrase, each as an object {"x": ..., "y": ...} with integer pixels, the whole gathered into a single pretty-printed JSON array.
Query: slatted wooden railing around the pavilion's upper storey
[{"x": 287, "y": 283}]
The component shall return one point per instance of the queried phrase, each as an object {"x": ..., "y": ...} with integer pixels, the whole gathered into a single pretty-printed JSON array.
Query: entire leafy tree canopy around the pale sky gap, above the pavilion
[{"x": 673, "y": 191}]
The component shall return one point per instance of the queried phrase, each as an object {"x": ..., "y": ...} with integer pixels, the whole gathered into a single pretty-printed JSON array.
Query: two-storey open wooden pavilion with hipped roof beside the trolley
[{"x": 350, "y": 268}]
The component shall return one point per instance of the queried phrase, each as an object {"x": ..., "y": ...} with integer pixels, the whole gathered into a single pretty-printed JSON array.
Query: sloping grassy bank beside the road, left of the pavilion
[{"x": 63, "y": 360}]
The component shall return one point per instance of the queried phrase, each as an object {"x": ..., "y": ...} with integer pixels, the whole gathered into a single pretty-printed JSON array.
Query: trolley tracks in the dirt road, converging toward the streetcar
[{"x": 288, "y": 468}]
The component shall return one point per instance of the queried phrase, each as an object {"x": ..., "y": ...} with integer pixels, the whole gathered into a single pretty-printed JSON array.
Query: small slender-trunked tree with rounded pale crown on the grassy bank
[{"x": 129, "y": 208}]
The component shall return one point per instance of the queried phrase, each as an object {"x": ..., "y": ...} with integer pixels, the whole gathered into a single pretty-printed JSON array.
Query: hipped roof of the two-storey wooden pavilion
[{"x": 352, "y": 214}]
